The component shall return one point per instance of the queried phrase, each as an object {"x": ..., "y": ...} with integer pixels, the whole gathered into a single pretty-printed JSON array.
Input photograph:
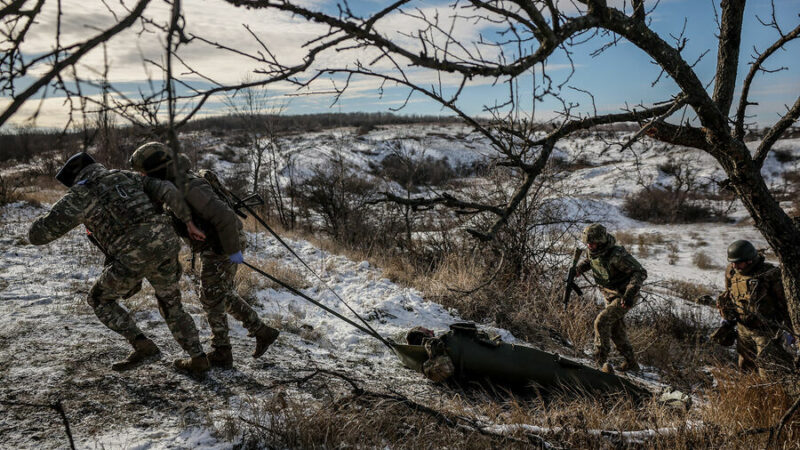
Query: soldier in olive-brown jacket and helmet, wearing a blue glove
[{"x": 220, "y": 254}]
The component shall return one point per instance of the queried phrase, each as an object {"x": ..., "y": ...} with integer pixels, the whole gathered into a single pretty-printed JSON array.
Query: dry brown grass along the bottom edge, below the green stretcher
[{"x": 342, "y": 417}]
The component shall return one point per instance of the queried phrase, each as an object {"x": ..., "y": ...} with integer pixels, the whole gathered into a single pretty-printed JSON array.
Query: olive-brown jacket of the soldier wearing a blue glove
[{"x": 213, "y": 215}]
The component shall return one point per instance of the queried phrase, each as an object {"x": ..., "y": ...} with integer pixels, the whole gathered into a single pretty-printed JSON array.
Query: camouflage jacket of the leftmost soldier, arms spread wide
[{"x": 111, "y": 204}]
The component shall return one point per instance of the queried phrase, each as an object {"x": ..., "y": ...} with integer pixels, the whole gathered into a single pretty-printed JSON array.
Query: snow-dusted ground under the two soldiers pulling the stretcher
[{"x": 53, "y": 348}]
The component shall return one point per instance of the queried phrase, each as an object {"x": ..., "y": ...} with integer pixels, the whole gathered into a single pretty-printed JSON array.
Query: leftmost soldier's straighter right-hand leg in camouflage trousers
[{"x": 164, "y": 279}]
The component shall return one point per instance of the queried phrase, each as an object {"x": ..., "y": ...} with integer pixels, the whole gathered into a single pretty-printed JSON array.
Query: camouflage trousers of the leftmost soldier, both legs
[{"x": 124, "y": 273}]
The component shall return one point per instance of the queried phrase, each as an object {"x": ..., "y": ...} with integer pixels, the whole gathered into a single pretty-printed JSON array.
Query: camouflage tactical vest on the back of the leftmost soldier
[{"x": 120, "y": 203}]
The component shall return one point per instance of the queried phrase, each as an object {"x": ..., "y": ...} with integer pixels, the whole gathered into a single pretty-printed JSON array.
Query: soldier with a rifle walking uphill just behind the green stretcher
[{"x": 620, "y": 277}]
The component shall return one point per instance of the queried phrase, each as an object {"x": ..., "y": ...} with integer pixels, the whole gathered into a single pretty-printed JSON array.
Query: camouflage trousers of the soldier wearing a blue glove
[{"x": 219, "y": 296}]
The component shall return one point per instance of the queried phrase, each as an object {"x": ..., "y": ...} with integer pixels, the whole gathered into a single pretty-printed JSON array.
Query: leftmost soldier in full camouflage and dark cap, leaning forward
[{"x": 120, "y": 210}]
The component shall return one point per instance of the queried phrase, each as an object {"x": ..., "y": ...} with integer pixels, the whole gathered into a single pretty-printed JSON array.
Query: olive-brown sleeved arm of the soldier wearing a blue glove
[{"x": 204, "y": 200}]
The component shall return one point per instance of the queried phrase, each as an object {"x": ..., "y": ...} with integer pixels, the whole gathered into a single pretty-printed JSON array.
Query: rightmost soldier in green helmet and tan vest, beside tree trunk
[{"x": 754, "y": 302}]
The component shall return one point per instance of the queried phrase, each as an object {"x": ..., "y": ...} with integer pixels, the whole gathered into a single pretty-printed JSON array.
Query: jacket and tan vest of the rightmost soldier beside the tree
[{"x": 756, "y": 298}]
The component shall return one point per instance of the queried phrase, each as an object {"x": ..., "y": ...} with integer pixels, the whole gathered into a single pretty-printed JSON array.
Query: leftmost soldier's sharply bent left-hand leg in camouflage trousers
[{"x": 112, "y": 284}]
